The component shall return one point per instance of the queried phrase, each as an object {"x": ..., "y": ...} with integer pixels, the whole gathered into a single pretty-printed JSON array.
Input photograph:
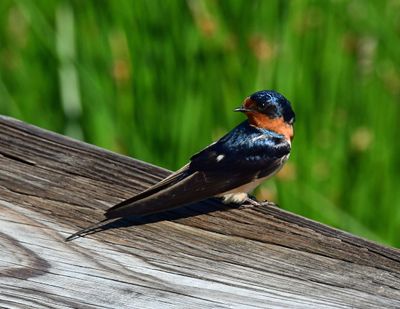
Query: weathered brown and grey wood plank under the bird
[{"x": 200, "y": 256}]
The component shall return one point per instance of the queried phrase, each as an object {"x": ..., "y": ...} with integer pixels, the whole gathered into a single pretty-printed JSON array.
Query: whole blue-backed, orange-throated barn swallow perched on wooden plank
[{"x": 229, "y": 168}]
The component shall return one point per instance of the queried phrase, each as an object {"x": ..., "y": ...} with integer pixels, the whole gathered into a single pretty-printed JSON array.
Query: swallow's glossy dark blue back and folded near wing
[{"x": 245, "y": 154}]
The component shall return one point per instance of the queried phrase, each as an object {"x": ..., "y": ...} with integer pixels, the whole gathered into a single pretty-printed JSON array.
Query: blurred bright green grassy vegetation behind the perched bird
[{"x": 158, "y": 80}]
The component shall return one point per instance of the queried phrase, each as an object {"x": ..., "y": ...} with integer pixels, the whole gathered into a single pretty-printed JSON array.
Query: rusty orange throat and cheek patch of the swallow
[{"x": 277, "y": 125}]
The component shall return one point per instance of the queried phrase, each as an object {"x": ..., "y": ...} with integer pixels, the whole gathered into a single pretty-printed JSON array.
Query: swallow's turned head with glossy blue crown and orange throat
[{"x": 270, "y": 110}]
